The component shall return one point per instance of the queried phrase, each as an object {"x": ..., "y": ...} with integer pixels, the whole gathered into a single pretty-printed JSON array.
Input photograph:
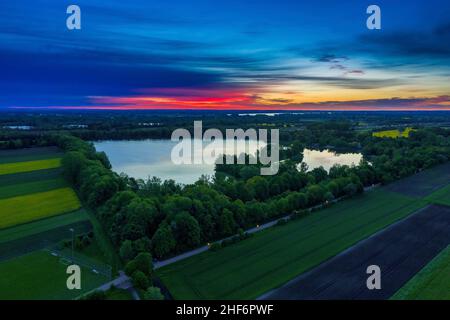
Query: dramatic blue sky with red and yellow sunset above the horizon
[{"x": 230, "y": 54}]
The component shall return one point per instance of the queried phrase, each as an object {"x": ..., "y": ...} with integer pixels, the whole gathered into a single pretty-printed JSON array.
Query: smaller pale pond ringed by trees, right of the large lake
[{"x": 327, "y": 159}]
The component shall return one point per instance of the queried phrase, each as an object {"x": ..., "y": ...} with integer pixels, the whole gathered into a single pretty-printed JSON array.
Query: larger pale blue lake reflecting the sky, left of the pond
[{"x": 146, "y": 158}]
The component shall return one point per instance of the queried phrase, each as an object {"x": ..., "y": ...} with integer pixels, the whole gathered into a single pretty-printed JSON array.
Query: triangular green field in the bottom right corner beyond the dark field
[{"x": 431, "y": 283}]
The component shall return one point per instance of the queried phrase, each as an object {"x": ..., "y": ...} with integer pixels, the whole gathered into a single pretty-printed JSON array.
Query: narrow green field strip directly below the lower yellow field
[{"x": 43, "y": 225}]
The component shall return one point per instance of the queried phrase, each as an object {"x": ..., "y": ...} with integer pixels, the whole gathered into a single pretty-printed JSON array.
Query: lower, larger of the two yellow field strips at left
[{"x": 27, "y": 208}]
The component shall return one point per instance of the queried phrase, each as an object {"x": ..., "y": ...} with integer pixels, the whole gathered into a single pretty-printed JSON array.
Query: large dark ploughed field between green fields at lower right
[{"x": 401, "y": 250}]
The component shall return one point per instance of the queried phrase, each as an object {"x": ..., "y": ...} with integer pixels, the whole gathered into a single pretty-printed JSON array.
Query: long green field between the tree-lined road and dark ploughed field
[{"x": 276, "y": 255}]
